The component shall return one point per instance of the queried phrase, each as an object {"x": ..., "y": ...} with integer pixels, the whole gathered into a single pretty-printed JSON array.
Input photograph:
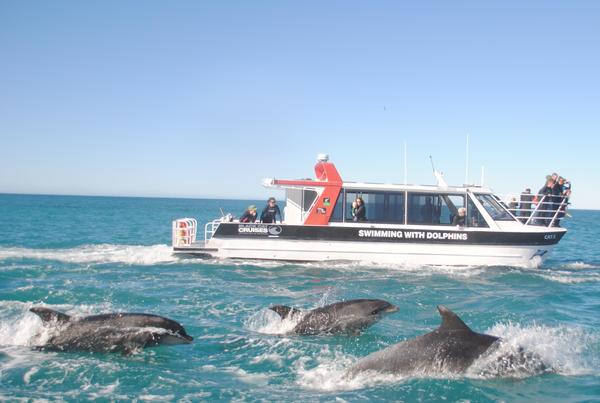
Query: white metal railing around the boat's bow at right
[{"x": 538, "y": 209}]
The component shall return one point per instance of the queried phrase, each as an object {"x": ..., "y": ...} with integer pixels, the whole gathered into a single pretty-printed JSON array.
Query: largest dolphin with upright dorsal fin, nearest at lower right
[{"x": 451, "y": 348}]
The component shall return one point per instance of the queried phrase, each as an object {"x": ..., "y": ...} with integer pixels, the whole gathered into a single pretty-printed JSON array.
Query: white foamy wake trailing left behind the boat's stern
[{"x": 96, "y": 254}]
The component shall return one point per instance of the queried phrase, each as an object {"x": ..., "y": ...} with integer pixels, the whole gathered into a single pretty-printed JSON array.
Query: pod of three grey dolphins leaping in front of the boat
[{"x": 451, "y": 348}]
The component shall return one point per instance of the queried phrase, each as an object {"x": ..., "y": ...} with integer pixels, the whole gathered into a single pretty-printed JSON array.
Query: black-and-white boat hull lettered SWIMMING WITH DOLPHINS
[{"x": 404, "y": 246}]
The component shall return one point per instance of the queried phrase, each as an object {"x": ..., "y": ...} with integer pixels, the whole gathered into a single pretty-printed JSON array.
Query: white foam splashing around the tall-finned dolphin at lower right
[{"x": 564, "y": 350}]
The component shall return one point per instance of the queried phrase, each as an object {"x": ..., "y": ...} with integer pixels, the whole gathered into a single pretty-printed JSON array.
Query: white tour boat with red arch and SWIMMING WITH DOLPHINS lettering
[{"x": 405, "y": 224}]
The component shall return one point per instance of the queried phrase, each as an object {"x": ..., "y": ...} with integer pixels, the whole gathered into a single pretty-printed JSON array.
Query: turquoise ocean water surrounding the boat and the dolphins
[{"x": 91, "y": 255}]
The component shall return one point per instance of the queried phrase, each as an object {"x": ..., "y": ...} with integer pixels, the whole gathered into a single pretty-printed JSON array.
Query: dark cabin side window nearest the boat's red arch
[{"x": 381, "y": 207}]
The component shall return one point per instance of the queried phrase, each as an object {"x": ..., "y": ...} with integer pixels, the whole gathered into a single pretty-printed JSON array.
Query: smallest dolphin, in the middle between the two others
[{"x": 342, "y": 317}]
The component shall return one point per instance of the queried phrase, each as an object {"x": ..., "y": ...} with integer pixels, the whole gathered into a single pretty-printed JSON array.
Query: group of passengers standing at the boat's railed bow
[{"x": 552, "y": 197}]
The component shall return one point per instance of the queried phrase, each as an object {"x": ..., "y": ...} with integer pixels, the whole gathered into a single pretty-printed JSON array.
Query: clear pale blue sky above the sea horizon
[{"x": 204, "y": 99}]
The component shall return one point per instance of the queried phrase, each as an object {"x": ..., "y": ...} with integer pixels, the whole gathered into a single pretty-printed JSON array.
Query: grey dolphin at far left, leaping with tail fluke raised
[{"x": 113, "y": 332}]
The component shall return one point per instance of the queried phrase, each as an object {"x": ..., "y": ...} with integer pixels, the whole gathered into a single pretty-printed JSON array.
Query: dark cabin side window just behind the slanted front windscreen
[{"x": 433, "y": 208}]
